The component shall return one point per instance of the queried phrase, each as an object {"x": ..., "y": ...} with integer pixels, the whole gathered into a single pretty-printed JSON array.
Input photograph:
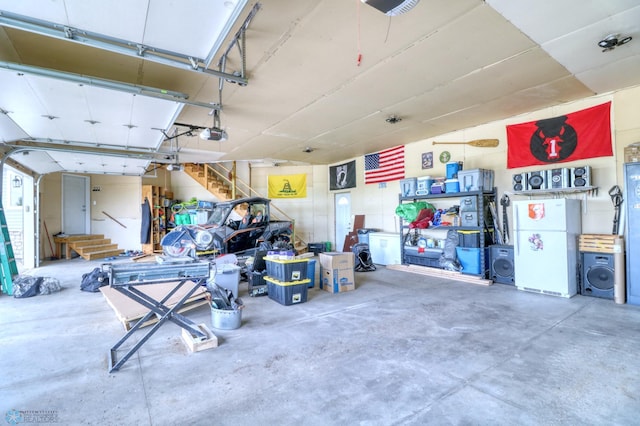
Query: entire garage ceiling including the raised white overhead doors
[{"x": 440, "y": 67}]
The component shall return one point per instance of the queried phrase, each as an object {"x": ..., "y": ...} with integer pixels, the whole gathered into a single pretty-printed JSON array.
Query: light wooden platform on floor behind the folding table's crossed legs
[{"x": 128, "y": 311}]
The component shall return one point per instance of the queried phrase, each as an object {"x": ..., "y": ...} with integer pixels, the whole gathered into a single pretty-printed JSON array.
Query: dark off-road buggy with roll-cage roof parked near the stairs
[{"x": 238, "y": 226}]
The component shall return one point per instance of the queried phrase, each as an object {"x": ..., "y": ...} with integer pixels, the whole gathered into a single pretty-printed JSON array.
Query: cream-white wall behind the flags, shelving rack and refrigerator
[{"x": 378, "y": 202}]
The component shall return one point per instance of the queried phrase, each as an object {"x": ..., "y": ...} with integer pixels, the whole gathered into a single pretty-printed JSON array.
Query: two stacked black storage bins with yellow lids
[{"x": 286, "y": 278}]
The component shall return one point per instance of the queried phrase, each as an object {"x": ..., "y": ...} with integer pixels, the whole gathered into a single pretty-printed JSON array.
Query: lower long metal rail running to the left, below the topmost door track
[{"x": 153, "y": 92}]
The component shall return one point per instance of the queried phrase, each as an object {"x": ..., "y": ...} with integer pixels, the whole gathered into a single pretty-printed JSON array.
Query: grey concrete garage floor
[{"x": 401, "y": 349}]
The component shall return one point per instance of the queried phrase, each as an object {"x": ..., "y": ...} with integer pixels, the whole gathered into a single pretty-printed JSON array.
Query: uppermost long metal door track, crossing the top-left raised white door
[{"x": 113, "y": 44}]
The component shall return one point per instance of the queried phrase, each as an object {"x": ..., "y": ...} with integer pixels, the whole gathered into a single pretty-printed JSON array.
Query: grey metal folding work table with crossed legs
[{"x": 126, "y": 277}]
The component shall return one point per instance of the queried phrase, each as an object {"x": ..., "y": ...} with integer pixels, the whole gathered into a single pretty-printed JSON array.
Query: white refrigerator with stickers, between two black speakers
[{"x": 546, "y": 245}]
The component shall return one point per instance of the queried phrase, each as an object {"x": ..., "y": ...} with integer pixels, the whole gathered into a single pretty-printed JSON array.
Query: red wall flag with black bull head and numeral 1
[{"x": 576, "y": 136}]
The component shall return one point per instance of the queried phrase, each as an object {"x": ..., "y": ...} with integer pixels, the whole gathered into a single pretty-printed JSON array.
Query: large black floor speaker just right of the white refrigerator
[{"x": 598, "y": 275}]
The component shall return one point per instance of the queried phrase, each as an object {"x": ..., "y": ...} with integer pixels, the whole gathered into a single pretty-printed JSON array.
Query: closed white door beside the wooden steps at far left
[{"x": 75, "y": 204}]
